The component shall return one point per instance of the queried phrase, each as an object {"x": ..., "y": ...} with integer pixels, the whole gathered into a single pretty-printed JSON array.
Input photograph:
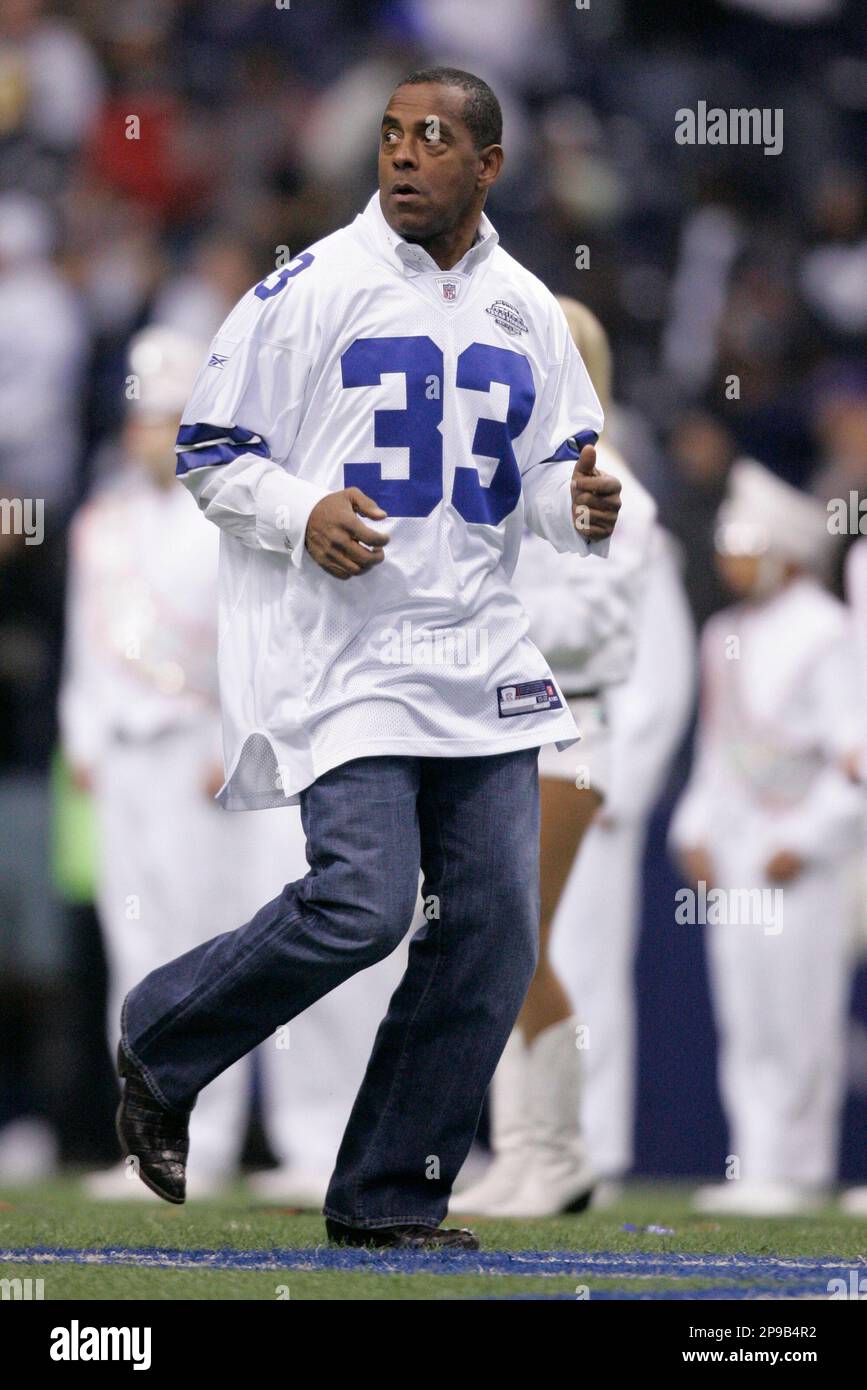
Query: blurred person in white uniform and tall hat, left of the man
[{"x": 140, "y": 718}]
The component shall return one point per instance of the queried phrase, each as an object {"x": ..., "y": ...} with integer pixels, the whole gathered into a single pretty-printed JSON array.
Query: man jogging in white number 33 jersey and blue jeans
[{"x": 374, "y": 427}]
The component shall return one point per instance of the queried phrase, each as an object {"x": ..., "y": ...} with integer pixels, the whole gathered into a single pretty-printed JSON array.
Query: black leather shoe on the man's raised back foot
[{"x": 156, "y": 1138}]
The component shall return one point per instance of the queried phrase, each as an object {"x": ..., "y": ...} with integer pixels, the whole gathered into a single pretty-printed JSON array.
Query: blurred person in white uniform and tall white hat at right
[{"x": 766, "y": 835}]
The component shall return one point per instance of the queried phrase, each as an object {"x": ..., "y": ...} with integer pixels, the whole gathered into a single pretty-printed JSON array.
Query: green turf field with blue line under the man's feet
[{"x": 238, "y": 1249}]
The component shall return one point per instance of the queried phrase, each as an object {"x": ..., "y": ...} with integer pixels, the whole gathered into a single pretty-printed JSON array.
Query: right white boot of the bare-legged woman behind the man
[{"x": 558, "y": 1177}]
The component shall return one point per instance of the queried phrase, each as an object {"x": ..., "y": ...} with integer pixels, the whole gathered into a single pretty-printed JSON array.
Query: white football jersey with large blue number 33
[{"x": 459, "y": 404}]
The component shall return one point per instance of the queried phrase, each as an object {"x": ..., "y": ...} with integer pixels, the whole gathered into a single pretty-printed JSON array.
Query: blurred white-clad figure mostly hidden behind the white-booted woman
[{"x": 598, "y": 924}]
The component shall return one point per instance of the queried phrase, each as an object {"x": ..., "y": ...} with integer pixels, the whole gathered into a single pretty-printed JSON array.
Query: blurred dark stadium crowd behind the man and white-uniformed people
[{"x": 258, "y": 131}]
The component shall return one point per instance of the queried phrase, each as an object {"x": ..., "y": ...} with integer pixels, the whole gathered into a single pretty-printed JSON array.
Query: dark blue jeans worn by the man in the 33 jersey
[{"x": 473, "y": 828}]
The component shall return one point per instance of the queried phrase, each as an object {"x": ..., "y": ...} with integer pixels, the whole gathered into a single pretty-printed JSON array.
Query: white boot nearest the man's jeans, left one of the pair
[{"x": 511, "y": 1136}]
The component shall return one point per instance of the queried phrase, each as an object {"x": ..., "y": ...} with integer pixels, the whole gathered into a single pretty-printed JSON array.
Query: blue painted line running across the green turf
[{"x": 747, "y": 1277}]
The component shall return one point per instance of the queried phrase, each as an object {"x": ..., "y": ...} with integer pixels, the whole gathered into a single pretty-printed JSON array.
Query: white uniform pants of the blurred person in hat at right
[{"x": 782, "y": 1007}]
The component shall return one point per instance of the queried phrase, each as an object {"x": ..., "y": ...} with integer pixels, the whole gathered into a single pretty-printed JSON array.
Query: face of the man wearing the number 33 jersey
[{"x": 430, "y": 170}]
